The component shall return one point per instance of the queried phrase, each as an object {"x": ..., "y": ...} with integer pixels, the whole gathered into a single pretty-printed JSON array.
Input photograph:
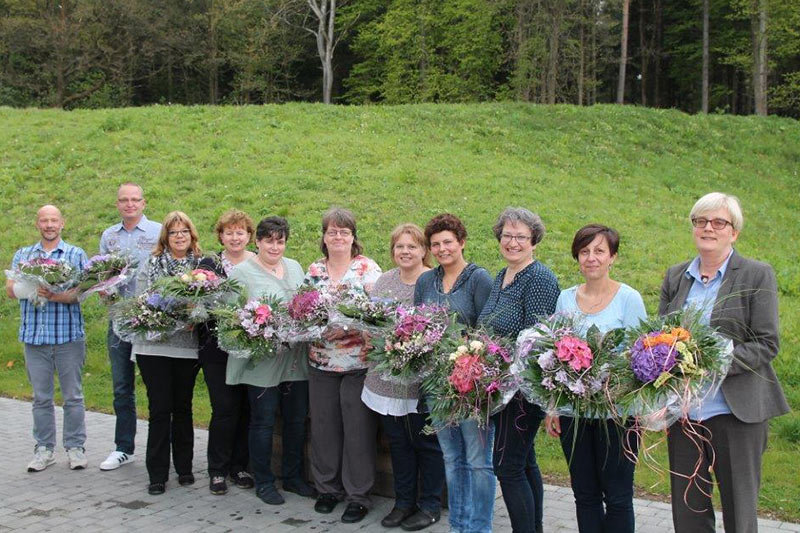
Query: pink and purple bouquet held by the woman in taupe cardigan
[{"x": 407, "y": 353}]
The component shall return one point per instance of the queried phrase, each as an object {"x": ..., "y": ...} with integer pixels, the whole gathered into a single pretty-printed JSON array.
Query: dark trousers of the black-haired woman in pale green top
[{"x": 292, "y": 398}]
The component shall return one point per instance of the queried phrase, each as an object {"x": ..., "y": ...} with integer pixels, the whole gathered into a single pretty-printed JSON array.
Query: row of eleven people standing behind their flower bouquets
[{"x": 332, "y": 383}]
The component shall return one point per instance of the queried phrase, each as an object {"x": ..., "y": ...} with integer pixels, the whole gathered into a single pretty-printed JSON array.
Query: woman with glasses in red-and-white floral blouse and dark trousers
[{"x": 343, "y": 429}]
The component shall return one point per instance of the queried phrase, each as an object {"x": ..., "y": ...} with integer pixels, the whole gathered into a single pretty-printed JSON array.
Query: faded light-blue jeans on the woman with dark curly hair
[{"x": 470, "y": 480}]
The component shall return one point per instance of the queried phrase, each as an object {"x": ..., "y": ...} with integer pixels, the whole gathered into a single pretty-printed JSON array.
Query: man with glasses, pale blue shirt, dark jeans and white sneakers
[{"x": 135, "y": 235}]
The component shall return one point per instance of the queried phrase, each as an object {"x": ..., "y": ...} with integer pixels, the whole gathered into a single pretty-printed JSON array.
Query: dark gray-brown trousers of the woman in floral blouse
[{"x": 343, "y": 435}]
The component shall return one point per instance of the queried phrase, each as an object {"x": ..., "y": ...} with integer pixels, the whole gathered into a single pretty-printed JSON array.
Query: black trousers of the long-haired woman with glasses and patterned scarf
[{"x": 170, "y": 384}]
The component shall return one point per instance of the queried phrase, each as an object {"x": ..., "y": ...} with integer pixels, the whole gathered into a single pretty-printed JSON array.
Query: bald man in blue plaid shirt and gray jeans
[{"x": 53, "y": 336}]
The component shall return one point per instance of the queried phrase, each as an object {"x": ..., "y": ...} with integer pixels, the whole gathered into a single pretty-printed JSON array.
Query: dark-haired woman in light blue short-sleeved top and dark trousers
[{"x": 599, "y": 470}]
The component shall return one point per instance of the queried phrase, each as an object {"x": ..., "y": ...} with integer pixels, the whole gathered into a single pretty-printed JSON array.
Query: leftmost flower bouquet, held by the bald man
[{"x": 29, "y": 276}]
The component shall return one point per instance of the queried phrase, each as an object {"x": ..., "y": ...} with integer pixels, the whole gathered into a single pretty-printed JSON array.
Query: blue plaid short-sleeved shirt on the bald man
[{"x": 55, "y": 323}]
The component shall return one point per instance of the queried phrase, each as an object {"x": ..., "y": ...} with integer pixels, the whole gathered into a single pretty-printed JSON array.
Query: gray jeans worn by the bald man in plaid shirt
[{"x": 41, "y": 362}]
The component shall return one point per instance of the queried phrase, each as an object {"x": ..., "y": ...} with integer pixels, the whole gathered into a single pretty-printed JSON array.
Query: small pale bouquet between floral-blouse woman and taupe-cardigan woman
[{"x": 356, "y": 310}]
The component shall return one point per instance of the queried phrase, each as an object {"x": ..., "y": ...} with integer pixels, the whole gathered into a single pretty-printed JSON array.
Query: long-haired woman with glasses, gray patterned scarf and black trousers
[{"x": 169, "y": 366}]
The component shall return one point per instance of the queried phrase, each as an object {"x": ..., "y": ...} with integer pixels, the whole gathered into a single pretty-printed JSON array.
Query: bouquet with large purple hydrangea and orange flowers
[{"x": 669, "y": 366}]
